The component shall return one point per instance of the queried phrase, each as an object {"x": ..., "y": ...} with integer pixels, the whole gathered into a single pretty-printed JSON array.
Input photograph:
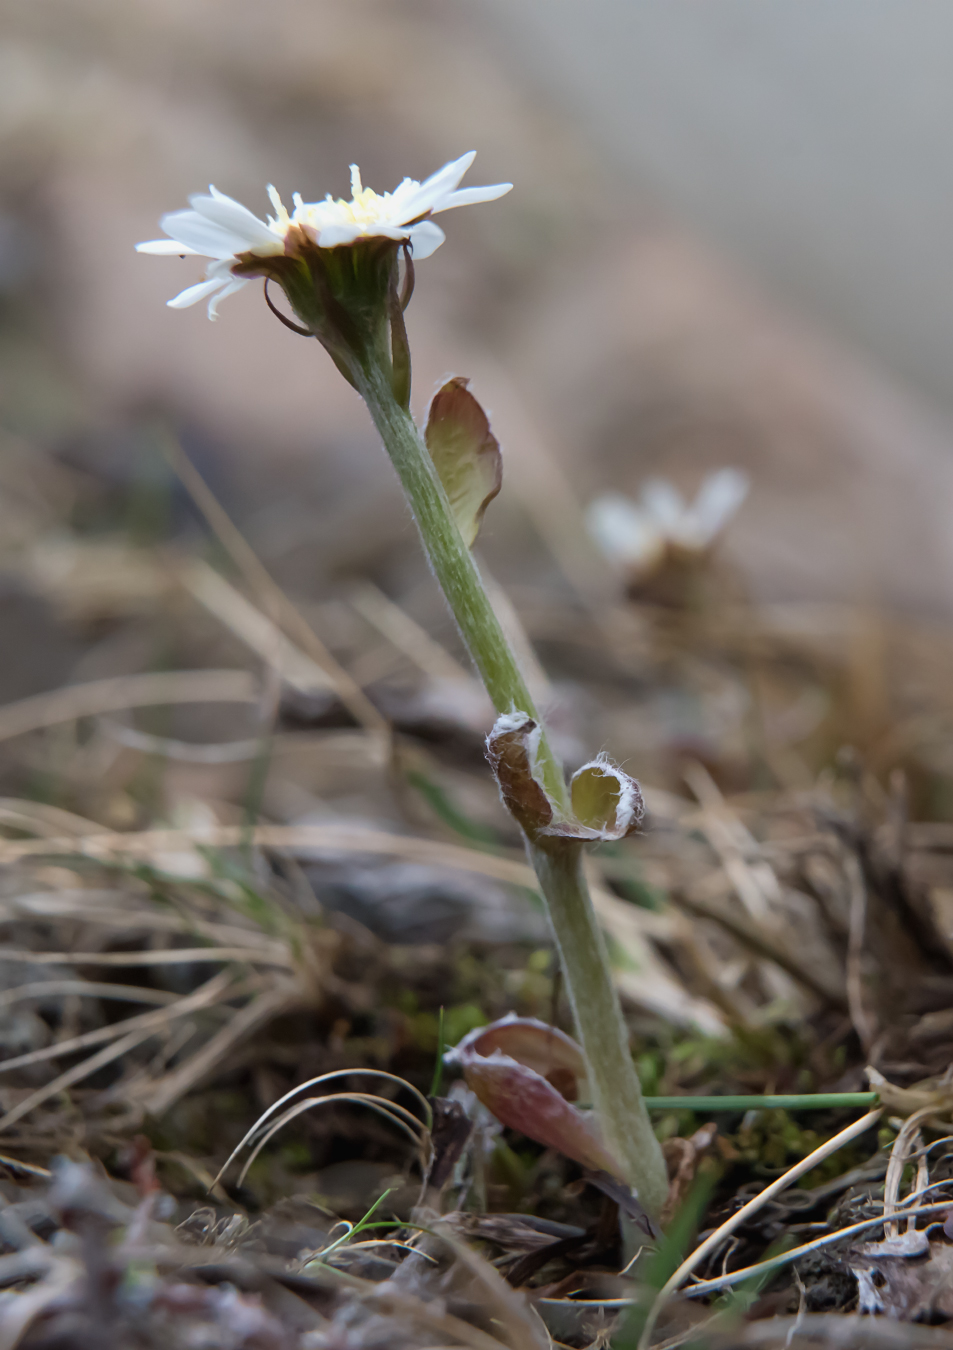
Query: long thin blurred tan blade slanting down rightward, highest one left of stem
[{"x": 271, "y": 596}]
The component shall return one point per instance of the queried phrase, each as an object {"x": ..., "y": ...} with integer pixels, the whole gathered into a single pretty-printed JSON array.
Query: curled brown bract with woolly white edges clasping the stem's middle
[{"x": 607, "y": 804}]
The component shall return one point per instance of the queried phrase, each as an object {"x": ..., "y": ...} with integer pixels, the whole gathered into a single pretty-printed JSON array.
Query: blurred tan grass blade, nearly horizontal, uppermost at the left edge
[{"x": 114, "y": 696}]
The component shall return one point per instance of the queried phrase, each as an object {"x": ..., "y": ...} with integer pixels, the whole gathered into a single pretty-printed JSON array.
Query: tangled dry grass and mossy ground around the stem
[{"x": 279, "y": 857}]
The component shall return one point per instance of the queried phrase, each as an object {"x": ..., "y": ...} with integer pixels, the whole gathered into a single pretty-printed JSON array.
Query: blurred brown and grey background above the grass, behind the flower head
[{"x": 728, "y": 245}]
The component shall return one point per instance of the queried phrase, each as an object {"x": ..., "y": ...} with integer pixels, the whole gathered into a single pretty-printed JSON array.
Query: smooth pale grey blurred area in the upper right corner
[{"x": 811, "y": 140}]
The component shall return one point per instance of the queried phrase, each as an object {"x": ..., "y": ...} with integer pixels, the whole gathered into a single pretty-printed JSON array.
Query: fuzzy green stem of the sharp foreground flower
[{"x": 558, "y": 863}]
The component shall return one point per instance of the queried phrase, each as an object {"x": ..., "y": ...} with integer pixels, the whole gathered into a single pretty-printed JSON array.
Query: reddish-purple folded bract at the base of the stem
[{"x": 524, "y": 1073}]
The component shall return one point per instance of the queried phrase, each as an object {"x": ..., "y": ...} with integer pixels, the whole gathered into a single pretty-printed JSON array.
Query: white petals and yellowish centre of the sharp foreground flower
[{"x": 223, "y": 230}]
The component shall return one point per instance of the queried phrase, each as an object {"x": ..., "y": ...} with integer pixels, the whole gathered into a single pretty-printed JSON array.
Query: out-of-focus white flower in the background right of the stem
[{"x": 638, "y": 535}]
